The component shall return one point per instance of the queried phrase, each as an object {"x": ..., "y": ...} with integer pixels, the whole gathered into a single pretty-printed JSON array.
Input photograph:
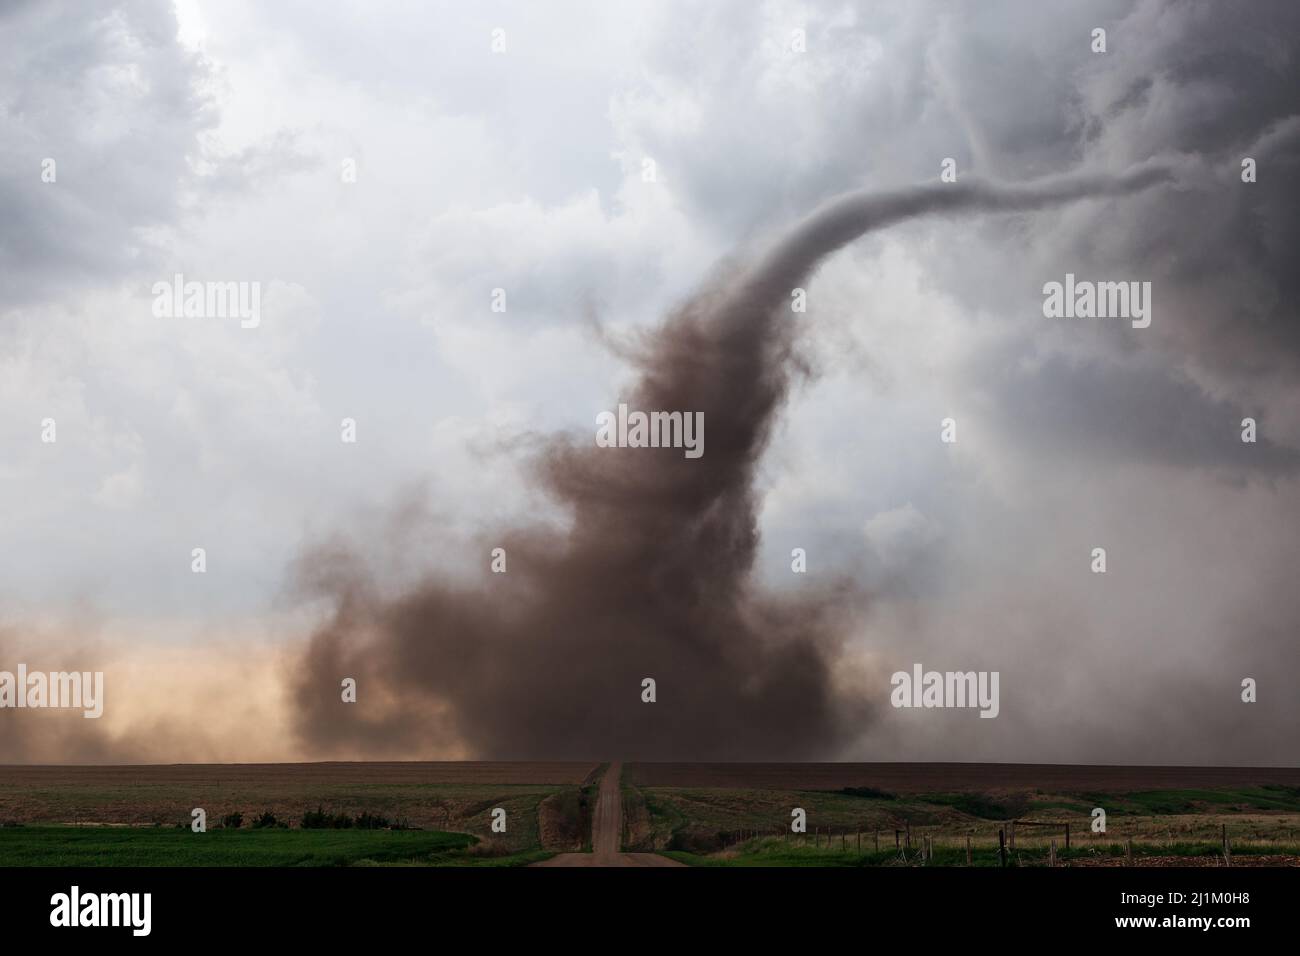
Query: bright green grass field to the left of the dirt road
[{"x": 94, "y": 846}]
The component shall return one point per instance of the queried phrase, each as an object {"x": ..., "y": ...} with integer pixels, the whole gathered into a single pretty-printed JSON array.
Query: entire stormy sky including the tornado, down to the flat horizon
[{"x": 207, "y": 141}]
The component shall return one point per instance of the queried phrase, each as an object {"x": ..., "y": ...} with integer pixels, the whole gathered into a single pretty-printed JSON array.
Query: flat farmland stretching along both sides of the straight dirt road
[{"x": 857, "y": 815}]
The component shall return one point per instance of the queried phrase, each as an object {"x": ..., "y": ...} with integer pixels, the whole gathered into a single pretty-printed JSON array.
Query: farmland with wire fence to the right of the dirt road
[{"x": 899, "y": 815}]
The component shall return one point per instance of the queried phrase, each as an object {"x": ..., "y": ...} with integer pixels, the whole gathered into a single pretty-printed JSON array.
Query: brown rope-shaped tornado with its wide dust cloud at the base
[{"x": 653, "y": 579}]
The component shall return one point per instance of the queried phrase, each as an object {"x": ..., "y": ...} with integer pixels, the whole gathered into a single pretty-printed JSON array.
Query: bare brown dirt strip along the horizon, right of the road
[{"x": 921, "y": 778}]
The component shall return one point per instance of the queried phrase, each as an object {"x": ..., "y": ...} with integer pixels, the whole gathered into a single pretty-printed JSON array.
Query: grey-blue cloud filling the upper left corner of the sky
[{"x": 112, "y": 98}]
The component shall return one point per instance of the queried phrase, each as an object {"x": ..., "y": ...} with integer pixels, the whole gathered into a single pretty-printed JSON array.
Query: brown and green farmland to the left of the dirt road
[{"x": 92, "y": 815}]
